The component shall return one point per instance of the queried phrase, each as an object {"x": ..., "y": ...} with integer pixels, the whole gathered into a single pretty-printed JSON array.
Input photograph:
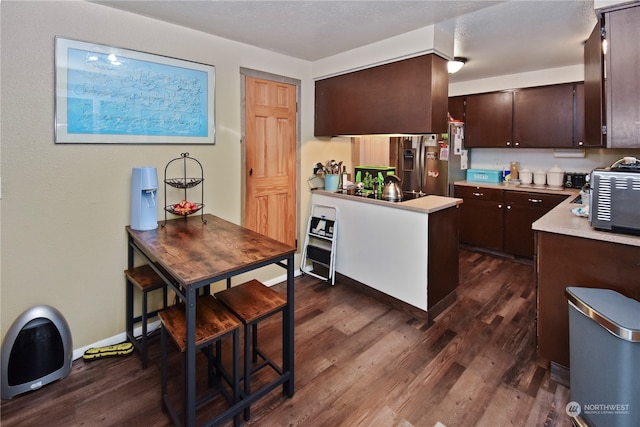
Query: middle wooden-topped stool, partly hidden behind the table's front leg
[{"x": 213, "y": 323}]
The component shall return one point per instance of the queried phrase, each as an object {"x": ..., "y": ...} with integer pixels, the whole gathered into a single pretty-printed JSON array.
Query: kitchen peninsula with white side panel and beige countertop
[{"x": 406, "y": 250}]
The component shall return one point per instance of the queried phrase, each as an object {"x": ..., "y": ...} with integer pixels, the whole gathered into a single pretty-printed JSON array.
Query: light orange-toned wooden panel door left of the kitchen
[{"x": 270, "y": 151}]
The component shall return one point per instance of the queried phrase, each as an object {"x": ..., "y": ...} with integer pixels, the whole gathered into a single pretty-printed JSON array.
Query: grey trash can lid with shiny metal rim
[{"x": 613, "y": 311}]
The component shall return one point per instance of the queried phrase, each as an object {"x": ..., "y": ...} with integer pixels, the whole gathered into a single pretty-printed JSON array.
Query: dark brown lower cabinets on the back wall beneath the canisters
[{"x": 500, "y": 220}]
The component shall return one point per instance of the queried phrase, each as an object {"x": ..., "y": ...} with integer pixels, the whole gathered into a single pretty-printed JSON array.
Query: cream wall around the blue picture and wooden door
[{"x": 65, "y": 206}]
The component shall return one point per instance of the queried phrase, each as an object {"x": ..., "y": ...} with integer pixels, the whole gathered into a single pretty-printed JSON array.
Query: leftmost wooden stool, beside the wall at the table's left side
[{"x": 145, "y": 280}]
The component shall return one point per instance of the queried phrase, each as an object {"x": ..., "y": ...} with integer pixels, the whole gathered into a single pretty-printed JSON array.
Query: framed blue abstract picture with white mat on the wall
[{"x": 112, "y": 95}]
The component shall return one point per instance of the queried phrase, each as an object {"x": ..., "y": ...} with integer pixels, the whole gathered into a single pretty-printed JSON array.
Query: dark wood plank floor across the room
[{"x": 359, "y": 362}]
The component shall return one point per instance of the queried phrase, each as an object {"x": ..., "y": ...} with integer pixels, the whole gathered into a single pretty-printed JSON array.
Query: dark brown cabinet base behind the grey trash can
[{"x": 564, "y": 261}]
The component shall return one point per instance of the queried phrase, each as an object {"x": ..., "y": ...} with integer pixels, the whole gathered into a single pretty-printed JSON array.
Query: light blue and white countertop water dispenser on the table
[{"x": 144, "y": 189}]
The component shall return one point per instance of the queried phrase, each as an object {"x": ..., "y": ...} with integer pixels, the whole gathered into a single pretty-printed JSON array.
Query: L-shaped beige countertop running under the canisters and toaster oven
[{"x": 560, "y": 220}]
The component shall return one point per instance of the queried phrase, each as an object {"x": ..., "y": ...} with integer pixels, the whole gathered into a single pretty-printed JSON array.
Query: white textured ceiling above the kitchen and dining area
[{"x": 498, "y": 37}]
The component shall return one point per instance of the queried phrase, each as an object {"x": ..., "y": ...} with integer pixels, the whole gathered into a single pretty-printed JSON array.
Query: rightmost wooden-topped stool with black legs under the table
[{"x": 252, "y": 302}]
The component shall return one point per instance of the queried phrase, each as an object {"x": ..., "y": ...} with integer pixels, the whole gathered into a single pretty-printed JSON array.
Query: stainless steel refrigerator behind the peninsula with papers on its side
[{"x": 430, "y": 164}]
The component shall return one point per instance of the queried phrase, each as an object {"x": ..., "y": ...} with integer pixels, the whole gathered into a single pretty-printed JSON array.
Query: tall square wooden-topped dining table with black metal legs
[{"x": 194, "y": 252}]
